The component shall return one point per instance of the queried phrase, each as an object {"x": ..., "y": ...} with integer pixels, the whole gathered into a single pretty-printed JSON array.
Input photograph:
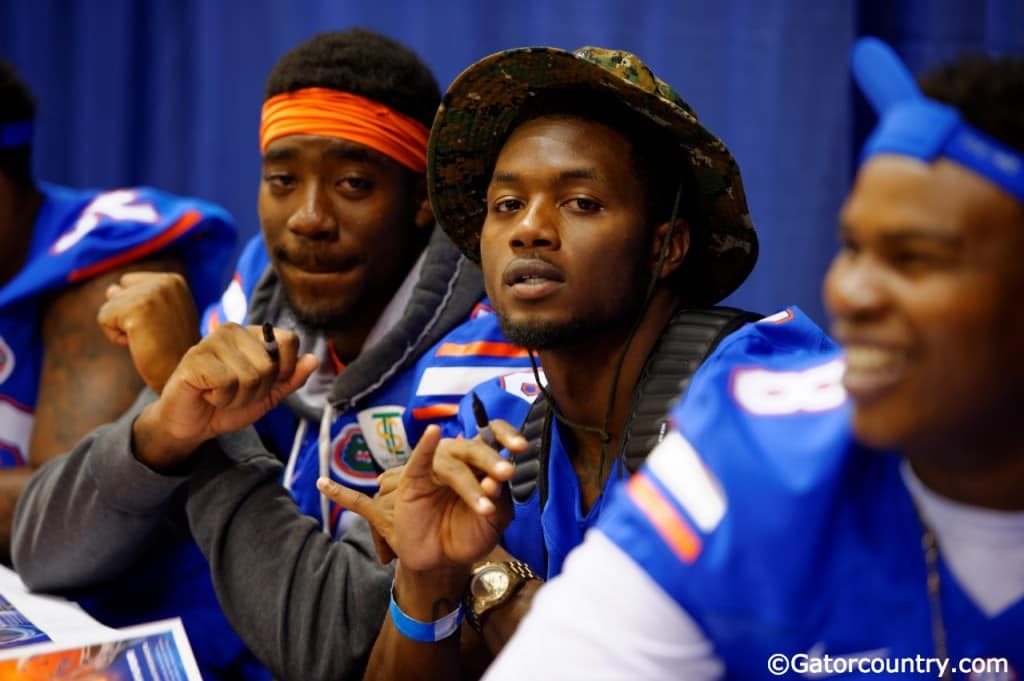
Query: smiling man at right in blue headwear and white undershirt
[{"x": 858, "y": 510}]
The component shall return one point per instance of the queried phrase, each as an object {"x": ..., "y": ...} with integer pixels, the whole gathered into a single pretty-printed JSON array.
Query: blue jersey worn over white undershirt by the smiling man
[{"x": 764, "y": 521}]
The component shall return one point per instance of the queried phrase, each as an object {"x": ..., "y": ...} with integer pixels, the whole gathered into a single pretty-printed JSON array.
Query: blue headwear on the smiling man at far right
[{"x": 913, "y": 125}]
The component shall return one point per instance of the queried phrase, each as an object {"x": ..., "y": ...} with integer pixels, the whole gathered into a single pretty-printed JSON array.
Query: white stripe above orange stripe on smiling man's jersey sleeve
[{"x": 677, "y": 465}]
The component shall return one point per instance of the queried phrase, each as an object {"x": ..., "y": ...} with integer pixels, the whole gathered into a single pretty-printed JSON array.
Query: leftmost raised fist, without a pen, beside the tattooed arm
[{"x": 153, "y": 315}]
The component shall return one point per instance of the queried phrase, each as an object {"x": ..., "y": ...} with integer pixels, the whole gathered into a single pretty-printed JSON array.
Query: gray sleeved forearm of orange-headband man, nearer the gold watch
[{"x": 308, "y": 607}]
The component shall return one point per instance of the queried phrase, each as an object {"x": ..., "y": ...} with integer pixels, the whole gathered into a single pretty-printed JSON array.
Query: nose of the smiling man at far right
[{"x": 856, "y": 287}]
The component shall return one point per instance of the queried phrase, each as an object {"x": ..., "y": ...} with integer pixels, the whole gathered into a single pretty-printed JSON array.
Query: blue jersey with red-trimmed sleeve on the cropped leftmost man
[{"x": 78, "y": 235}]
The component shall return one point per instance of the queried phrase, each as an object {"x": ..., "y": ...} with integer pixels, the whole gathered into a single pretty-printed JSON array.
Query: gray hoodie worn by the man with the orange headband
[{"x": 308, "y": 607}]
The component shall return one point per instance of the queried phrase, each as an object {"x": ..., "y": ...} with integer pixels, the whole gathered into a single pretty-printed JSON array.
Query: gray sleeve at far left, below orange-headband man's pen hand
[{"x": 87, "y": 516}]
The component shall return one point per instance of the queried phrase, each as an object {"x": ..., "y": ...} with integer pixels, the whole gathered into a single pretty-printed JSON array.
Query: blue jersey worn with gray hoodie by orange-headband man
[{"x": 381, "y": 432}]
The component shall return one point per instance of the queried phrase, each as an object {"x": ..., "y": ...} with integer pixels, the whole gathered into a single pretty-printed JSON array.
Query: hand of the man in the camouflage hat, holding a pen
[{"x": 450, "y": 506}]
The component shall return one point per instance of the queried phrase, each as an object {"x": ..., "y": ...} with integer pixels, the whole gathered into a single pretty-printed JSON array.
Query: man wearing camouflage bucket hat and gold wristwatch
[{"x": 606, "y": 220}]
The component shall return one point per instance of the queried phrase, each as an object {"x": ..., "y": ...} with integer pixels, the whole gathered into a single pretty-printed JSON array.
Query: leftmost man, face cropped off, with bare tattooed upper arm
[{"x": 61, "y": 250}]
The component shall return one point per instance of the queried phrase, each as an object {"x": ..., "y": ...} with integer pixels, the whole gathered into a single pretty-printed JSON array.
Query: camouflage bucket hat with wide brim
[{"x": 484, "y": 103}]
